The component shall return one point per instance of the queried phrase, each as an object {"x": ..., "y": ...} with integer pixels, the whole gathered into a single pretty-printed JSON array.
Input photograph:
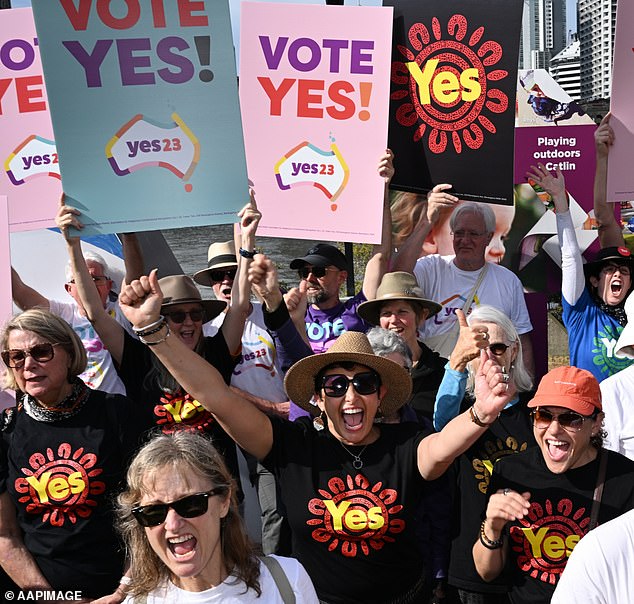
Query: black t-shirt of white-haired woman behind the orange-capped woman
[{"x": 511, "y": 433}]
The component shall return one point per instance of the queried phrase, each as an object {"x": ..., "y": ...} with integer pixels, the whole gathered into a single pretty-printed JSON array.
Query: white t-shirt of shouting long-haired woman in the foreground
[{"x": 232, "y": 591}]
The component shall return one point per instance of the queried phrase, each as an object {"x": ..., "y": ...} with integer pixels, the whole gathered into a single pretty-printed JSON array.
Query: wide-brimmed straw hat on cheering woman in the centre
[{"x": 351, "y": 347}]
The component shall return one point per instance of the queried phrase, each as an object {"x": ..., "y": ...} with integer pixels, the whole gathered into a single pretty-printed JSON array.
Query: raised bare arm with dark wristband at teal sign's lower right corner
[{"x": 238, "y": 311}]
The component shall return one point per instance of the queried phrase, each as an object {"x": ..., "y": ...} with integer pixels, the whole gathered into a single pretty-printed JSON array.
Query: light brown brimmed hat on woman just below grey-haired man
[{"x": 396, "y": 286}]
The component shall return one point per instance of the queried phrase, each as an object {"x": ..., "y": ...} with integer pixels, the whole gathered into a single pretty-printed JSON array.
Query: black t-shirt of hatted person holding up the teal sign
[{"x": 178, "y": 411}]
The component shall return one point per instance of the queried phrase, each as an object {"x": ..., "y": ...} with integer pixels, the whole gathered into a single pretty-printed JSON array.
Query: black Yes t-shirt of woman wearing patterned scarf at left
[{"x": 61, "y": 477}]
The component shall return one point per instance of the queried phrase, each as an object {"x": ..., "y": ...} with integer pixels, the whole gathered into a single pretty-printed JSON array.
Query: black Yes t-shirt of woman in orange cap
[{"x": 541, "y": 543}]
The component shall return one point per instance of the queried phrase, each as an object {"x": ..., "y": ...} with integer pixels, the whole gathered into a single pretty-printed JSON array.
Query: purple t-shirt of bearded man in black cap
[{"x": 323, "y": 327}]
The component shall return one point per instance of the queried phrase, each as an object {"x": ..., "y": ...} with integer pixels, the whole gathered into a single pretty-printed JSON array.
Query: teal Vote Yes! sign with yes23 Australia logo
[{"x": 144, "y": 105}]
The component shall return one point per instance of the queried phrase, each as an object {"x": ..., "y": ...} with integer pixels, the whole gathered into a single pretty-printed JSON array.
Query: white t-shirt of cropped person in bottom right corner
[{"x": 599, "y": 571}]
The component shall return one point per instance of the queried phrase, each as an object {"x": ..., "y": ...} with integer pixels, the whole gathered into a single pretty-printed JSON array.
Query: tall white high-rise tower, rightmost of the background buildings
[{"x": 596, "y": 21}]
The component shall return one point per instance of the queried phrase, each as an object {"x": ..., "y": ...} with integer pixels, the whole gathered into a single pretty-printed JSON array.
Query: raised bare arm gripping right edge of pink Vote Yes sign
[{"x": 381, "y": 253}]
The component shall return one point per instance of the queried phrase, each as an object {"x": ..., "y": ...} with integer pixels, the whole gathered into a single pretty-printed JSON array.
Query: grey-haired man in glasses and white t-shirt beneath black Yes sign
[{"x": 465, "y": 279}]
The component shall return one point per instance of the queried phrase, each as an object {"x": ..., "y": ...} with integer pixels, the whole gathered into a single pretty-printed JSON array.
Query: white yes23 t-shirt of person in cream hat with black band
[{"x": 257, "y": 371}]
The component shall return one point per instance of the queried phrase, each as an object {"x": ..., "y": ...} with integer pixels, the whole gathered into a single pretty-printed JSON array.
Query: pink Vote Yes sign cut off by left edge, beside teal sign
[{"x": 29, "y": 169}]
